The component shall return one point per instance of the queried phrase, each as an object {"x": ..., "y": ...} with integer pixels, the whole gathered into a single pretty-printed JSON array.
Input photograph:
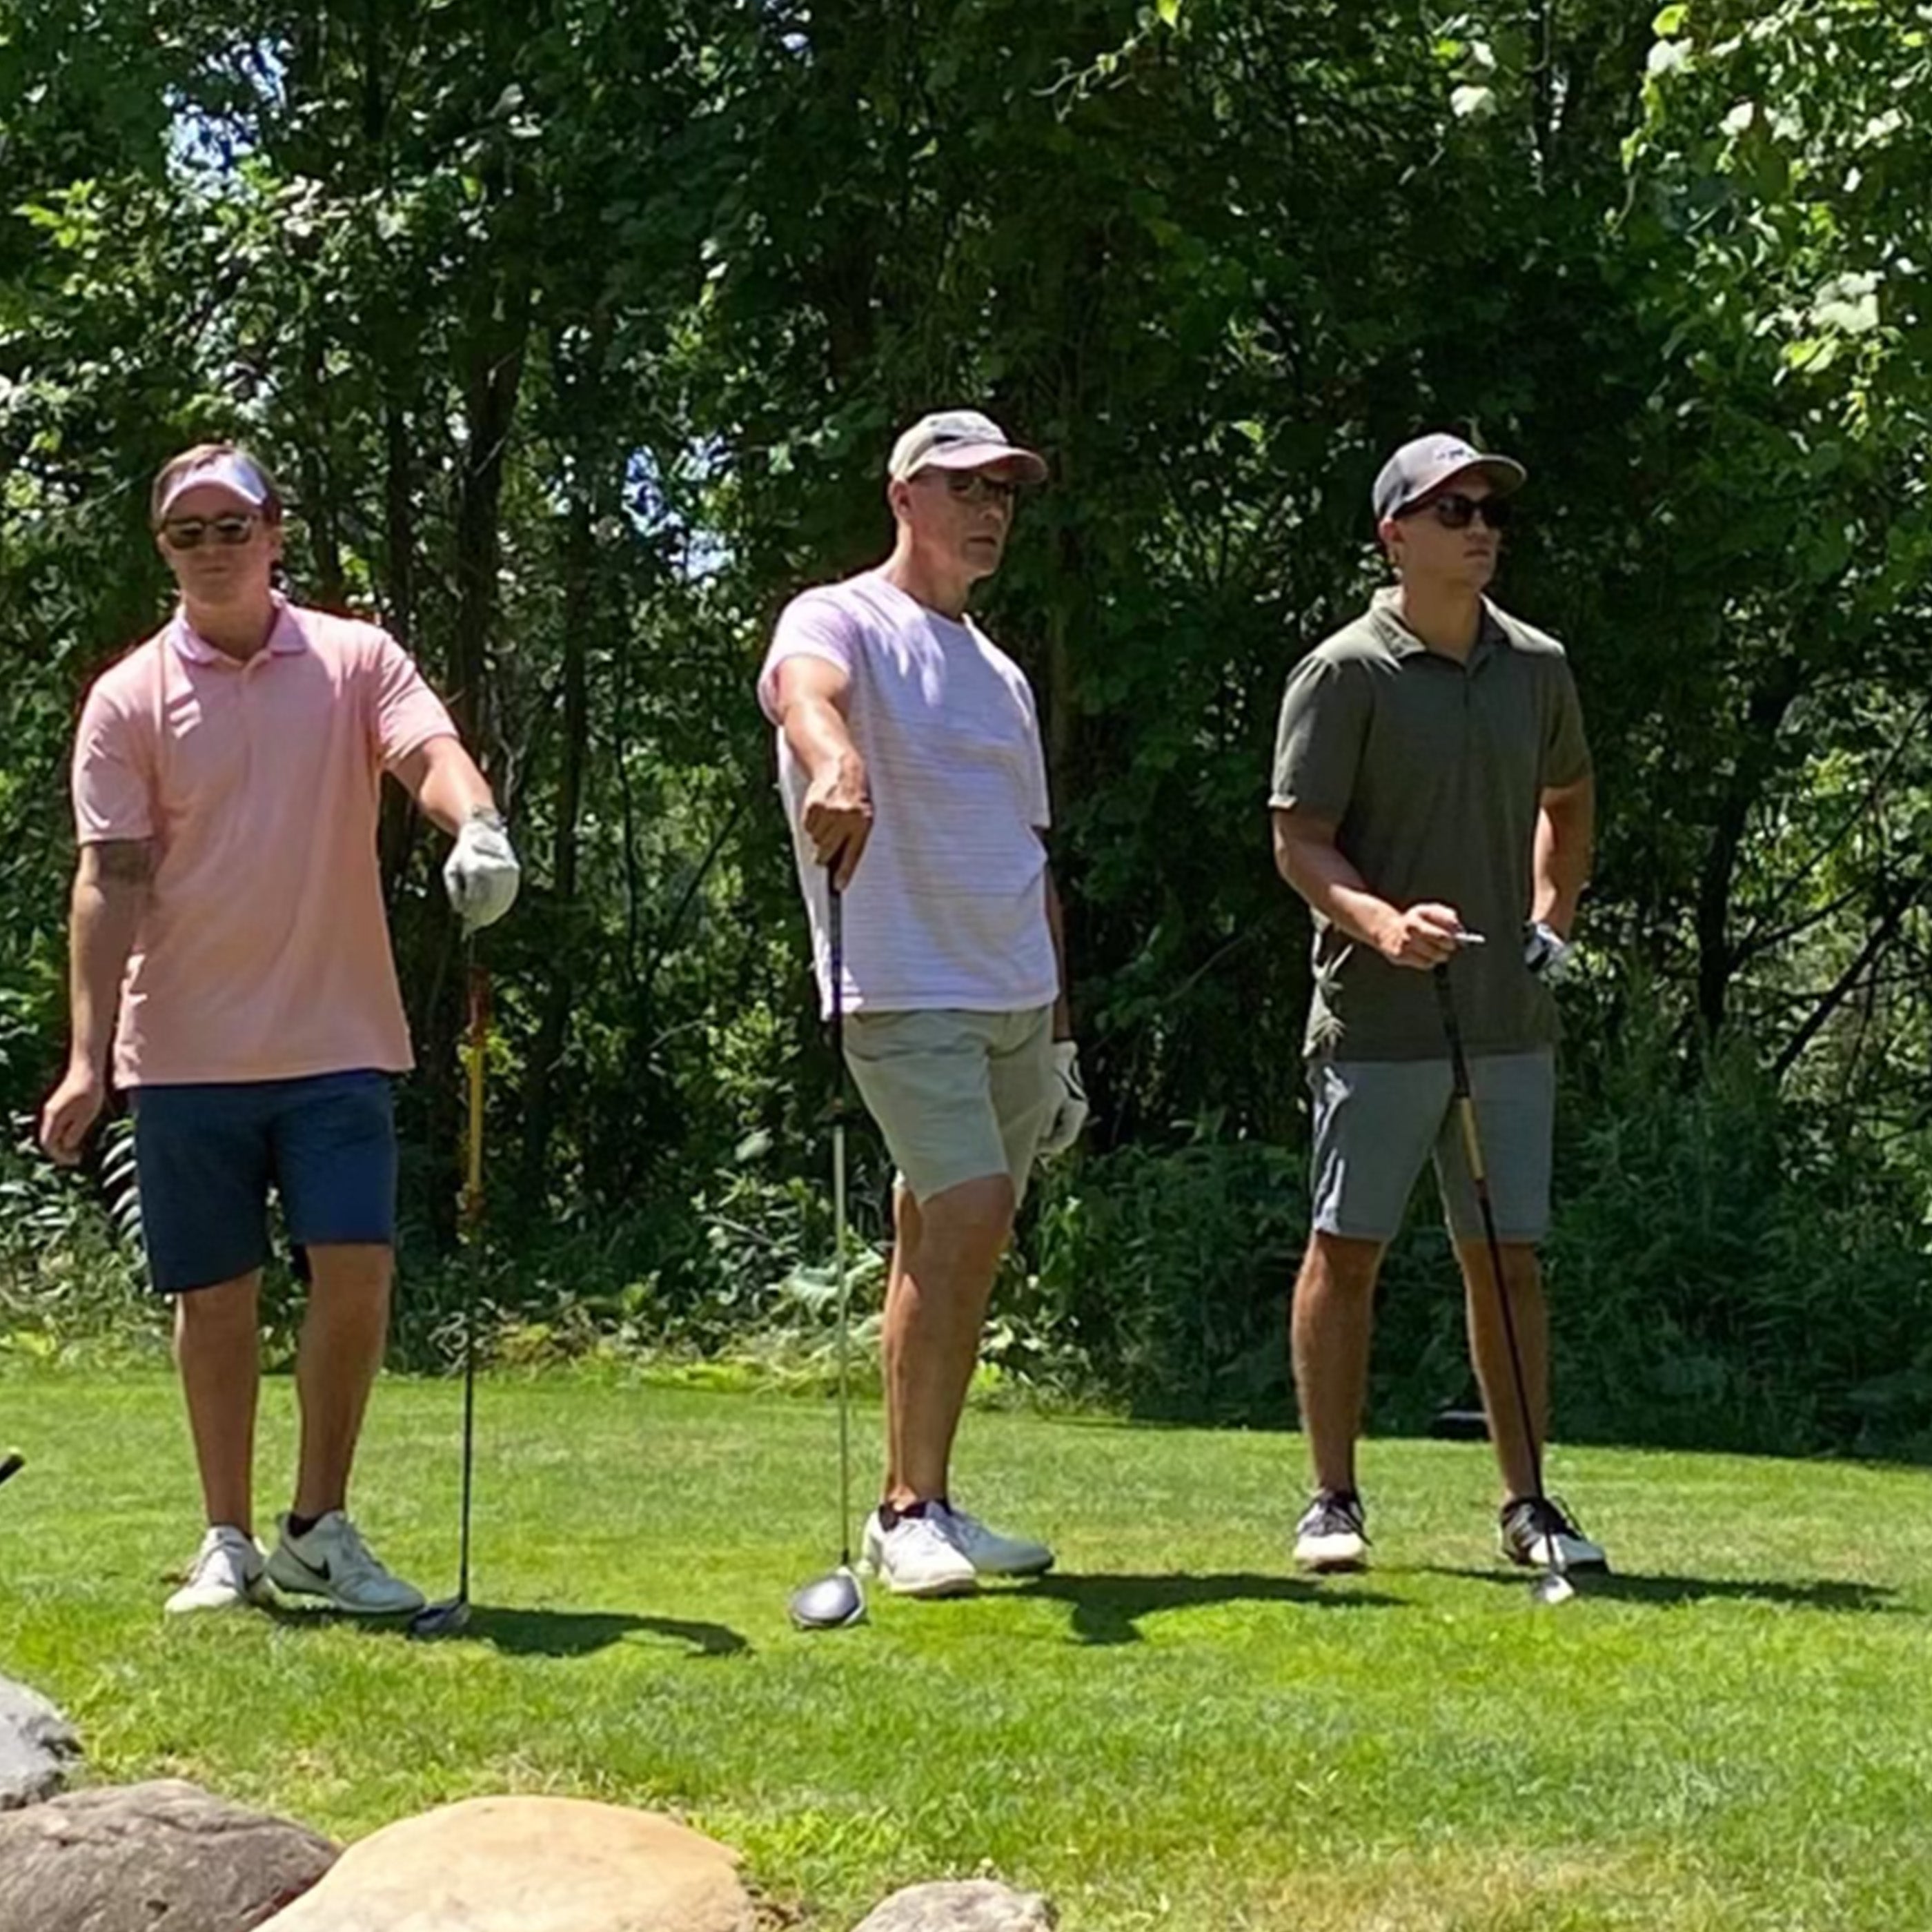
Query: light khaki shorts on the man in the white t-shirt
[{"x": 957, "y": 1094}]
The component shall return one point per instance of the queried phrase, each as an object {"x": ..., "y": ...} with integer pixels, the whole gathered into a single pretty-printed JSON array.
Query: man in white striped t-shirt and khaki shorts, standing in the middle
[{"x": 907, "y": 739}]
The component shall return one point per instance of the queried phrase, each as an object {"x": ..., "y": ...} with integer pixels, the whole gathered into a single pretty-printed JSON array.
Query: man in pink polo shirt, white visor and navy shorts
[{"x": 227, "y": 780}]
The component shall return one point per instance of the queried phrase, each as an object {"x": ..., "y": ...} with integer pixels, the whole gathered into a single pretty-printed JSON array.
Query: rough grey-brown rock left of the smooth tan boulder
[{"x": 163, "y": 1858}]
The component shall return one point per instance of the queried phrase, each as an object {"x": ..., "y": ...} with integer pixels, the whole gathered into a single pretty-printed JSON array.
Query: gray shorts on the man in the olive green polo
[{"x": 1378, "y": 1122}]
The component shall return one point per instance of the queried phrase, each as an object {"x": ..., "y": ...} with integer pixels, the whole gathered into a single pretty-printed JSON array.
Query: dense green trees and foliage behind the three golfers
[{"x": 579, "y": 331}]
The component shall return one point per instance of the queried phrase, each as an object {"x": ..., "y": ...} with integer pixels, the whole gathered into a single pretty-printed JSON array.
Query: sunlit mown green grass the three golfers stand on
[{"x": 1172, "y": 1732}]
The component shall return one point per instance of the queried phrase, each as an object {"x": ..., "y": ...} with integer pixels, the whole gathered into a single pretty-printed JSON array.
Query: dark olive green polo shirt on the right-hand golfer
[{"x": 1433, "y": 774}]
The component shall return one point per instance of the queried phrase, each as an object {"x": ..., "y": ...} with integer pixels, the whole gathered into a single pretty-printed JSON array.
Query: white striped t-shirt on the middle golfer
[{"x": 948, "y": 907}]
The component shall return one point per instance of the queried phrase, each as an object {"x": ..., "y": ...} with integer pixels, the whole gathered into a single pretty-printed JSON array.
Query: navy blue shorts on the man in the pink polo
[{"x": 208, "y": 1156}]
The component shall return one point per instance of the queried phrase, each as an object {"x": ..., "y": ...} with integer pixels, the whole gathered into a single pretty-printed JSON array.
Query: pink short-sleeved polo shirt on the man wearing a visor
[{"x": 264, "y": 952}]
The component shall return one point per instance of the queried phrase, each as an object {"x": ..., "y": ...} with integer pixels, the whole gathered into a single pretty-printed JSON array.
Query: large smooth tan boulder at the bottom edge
[{"x": 530, "y": 1865}]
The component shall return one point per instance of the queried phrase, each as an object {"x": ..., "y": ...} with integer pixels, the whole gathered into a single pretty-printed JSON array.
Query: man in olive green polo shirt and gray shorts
[{"x": 1433, "y": 803}]
